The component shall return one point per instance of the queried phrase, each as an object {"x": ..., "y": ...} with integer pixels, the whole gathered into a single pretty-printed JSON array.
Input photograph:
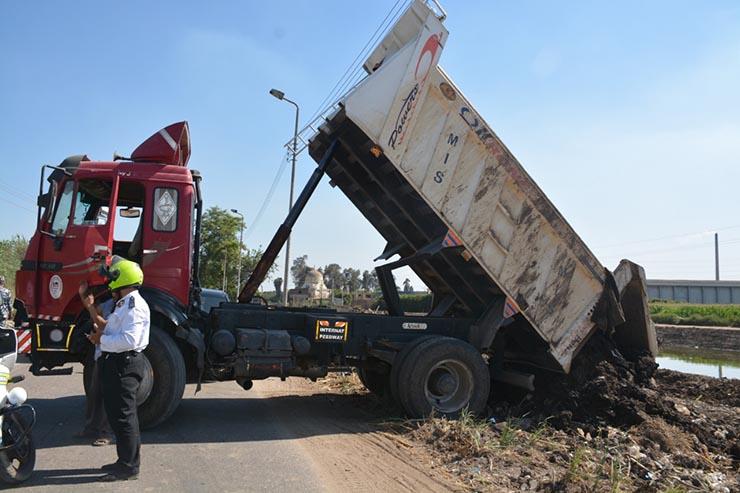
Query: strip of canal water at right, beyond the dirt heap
[{"x": 700, "y": 361}]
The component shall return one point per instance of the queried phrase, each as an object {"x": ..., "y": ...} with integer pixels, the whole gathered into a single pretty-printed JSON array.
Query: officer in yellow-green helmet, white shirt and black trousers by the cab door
[{"x": 122, "y": 338}]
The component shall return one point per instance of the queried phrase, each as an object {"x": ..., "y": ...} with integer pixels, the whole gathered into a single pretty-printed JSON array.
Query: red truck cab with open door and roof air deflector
[{"x": 142, "y": 208}]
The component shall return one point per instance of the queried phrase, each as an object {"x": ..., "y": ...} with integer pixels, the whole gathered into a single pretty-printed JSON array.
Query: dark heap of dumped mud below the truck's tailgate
[{"x": 604, "y": 389}]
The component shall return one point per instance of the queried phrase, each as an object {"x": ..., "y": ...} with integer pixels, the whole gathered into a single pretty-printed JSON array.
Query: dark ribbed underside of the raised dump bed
[{"x": 402, "y": 217}]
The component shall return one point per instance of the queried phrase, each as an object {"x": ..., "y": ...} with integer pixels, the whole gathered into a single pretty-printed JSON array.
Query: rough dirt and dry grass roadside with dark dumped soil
[{"x": 611, "y": 425}]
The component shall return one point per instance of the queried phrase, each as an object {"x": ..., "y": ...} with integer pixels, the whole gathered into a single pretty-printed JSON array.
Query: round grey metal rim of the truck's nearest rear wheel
[{"x": 449, "y": 386}]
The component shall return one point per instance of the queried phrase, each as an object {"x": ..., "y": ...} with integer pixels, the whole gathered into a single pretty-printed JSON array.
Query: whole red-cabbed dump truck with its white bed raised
[{"x": 514, "y": 287}]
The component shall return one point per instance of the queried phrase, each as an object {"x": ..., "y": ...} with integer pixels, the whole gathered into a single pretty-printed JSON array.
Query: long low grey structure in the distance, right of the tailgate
[{"x": 702, "y": 292}]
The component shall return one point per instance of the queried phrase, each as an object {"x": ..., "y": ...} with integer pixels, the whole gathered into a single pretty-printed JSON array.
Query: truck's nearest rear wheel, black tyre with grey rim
[{"x": 444, "y": 375}]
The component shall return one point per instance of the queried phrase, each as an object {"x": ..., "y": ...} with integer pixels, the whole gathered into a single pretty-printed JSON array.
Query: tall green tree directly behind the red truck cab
[{"x": 219, "y": 252}]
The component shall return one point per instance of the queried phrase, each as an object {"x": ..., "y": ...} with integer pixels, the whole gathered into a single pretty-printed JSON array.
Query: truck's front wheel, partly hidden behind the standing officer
[{"x": 163, "y": 385}]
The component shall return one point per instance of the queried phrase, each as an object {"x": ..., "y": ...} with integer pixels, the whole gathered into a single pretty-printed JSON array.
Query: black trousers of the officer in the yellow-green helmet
[{"x": 121, "y": 375}]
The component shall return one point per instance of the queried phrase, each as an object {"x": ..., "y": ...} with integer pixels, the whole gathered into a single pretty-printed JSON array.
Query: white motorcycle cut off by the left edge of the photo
[{"x": 17, "y": 450}]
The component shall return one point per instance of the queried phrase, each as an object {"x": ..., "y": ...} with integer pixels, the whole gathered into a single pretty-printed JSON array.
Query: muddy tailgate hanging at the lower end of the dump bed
[{"x": 636, "y": 335}]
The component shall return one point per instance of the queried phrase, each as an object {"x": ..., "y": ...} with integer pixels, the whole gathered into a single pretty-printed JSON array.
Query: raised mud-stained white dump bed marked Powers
[{"x": 423, "y": 166}]
